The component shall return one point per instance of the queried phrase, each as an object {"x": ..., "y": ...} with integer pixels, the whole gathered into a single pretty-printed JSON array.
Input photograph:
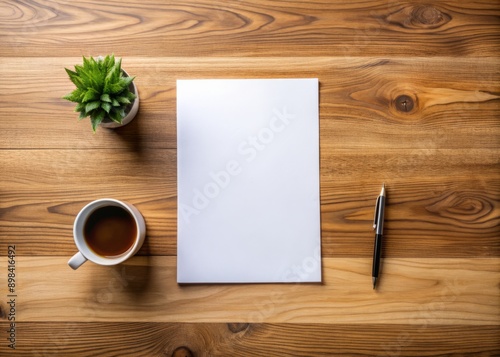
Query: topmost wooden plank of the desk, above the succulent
[{"x": 251, "y": 28}]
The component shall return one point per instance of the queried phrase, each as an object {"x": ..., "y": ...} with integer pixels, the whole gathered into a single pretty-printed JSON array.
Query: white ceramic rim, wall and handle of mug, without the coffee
[{"x": 86, "y": 253}]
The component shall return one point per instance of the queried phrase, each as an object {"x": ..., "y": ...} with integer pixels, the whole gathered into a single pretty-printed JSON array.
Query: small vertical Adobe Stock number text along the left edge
[{"x": 11, "y": 296}]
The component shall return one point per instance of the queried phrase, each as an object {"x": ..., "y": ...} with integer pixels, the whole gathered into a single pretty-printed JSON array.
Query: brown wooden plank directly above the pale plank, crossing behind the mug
[{"x": 441, "y": 203}]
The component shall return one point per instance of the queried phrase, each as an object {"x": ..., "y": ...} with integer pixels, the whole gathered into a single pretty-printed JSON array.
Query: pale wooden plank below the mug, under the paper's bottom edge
[{"x": 413, "y": 291}]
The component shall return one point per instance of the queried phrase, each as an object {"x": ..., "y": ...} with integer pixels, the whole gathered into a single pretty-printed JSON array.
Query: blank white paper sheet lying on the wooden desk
[{"x": 248, "y": 181}]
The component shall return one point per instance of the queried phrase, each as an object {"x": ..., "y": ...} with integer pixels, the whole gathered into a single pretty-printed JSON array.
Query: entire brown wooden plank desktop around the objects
[{"x": 439, "y": 293}]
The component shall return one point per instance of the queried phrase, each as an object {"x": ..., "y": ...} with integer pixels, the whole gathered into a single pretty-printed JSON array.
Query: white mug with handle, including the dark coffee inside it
[{"x": 107, "y": 232}]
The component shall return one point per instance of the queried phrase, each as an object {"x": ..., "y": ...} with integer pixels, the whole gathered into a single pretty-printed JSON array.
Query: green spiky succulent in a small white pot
[{"x": 104, "y": 92}]
